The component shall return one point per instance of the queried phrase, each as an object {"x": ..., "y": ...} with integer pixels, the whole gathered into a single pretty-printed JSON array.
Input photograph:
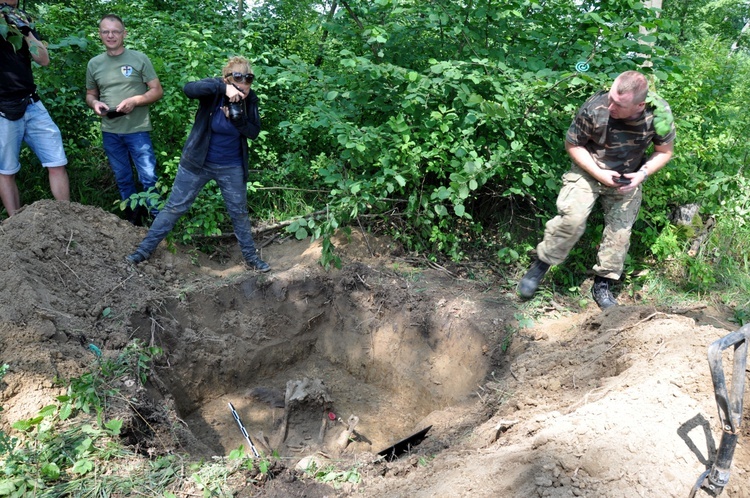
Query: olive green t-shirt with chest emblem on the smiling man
[{"x": 118, "y": 78}]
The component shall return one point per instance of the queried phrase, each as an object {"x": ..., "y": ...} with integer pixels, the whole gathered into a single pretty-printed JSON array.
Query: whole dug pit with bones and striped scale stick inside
[{"x": 386, "y": 353}]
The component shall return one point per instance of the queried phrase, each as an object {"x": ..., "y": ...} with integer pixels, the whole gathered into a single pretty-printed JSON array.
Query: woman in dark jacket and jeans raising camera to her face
[{"x": 216, "y": 149}]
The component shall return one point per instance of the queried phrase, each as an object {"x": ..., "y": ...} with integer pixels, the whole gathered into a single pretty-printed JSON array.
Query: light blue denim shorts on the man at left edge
[{"x": 40, "y": 133}]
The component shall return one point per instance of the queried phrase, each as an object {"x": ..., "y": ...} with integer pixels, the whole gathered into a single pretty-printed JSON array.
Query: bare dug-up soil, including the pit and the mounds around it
[{"x": 338, "y": 365}]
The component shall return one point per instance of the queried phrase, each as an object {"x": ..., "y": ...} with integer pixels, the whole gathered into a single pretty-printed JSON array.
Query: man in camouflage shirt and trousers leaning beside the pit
[{"x": 607, "y": 142}]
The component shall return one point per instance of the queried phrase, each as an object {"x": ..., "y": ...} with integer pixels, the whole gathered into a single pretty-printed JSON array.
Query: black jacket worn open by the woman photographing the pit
[{"x": 210, "y": 93}]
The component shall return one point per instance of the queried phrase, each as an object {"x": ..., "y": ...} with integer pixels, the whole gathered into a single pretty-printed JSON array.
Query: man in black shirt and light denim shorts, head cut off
[{"x": 23, "y": 117}]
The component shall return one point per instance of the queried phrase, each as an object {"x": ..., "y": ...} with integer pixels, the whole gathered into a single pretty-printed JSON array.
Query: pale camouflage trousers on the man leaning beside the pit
[{"x": 574, "y": 205}]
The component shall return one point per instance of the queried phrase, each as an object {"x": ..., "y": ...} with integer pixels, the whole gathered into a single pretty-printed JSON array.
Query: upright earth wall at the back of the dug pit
[{"x": 231, "y": 338}]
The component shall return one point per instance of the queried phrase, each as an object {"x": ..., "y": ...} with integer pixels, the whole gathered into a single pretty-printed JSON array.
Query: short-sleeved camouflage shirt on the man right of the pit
[{"x": 615, "y": 144}]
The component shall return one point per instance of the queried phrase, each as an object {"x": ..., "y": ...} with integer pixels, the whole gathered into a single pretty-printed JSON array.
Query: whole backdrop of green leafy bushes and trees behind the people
[{"x": 432, "y": 121}]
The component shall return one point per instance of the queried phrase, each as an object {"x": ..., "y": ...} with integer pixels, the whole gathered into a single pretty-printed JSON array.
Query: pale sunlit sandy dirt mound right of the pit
[{"x": 615, "y": 404}]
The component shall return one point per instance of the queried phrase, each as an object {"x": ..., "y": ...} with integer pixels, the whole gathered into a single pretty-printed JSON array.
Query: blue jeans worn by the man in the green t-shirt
[{"x": 120, "y": 149}]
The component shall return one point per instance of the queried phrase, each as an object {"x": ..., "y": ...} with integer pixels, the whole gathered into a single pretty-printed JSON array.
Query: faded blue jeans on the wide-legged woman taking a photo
[{"x": 187, "y": 186}]
